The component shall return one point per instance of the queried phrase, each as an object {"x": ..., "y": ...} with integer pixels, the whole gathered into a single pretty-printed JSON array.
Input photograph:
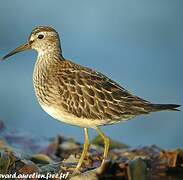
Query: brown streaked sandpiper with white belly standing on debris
[{"x": 78, "y": 95}]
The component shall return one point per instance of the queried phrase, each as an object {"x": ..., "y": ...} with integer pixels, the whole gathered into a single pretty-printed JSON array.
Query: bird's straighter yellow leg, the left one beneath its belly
[{"x": 85, "y": 150}]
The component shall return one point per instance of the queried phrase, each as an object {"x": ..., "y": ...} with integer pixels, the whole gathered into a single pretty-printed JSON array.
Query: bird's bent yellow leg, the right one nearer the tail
[{"x": 106, "y": 145}]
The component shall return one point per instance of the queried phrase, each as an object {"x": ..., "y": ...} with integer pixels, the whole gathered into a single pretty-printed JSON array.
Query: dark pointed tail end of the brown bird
[{"x": 163, "y": 107}]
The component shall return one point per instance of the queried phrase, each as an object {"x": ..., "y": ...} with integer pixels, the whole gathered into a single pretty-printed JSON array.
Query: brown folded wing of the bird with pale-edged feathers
[{"x": 89, "y": 94}]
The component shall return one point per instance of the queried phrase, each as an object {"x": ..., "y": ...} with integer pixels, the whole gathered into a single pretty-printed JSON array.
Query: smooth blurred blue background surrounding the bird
[{"x": 137, "y": 43}]
